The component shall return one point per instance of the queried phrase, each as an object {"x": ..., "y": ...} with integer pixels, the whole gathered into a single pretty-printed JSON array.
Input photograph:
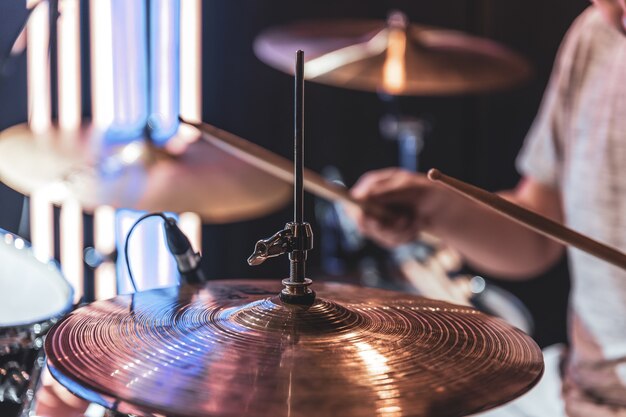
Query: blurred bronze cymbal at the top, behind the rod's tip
[{"x": 392, "y": 57}]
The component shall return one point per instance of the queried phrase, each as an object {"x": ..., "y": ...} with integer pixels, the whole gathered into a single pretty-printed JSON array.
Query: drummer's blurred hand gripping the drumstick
[{"x": 410, "y": 199}]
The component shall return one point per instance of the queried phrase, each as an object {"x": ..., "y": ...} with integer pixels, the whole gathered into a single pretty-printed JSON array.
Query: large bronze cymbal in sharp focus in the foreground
[{"x": 232, "y": 348}]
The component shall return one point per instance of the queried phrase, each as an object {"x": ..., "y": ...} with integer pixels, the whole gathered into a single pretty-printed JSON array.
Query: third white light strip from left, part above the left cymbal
[{"x": 101, "y": 63}]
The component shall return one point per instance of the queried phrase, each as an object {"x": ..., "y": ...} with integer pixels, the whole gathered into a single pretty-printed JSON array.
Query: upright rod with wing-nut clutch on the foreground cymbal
[{"x": 297, "y": 236}]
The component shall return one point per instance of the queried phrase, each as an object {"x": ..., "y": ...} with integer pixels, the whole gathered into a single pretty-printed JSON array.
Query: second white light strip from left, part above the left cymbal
[{"x": 69, "y": 64}]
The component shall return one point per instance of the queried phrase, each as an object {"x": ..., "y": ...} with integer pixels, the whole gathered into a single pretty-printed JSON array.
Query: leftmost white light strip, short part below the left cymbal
[{"x": 41, "y": 225}]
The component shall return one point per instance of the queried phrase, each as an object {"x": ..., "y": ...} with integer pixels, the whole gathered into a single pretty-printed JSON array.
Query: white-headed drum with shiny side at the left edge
[{"x": 35, "y": 296}]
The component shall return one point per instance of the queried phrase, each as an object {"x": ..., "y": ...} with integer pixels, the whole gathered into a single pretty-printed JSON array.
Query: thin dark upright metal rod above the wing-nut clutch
[{"x": 298, "y": 215}]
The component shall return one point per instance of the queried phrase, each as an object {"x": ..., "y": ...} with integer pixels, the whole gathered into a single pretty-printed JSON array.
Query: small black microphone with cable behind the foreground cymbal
[{"x": 187, "y": 261}]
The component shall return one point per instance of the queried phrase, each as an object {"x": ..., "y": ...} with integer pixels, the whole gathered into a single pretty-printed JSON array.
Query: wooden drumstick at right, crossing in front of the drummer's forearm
[{"x": 532, "y": 220}]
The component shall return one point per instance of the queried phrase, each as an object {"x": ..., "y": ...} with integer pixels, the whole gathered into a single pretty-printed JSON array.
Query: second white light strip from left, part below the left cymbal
[{"x": 71, "y": 240}]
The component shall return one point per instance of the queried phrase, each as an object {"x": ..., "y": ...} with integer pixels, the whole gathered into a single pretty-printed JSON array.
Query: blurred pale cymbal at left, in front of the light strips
[{"x": 189, "y": 175}]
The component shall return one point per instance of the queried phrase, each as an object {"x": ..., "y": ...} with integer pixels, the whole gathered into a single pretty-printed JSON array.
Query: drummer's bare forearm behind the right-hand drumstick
[{"x": 498, "y": 246}]
